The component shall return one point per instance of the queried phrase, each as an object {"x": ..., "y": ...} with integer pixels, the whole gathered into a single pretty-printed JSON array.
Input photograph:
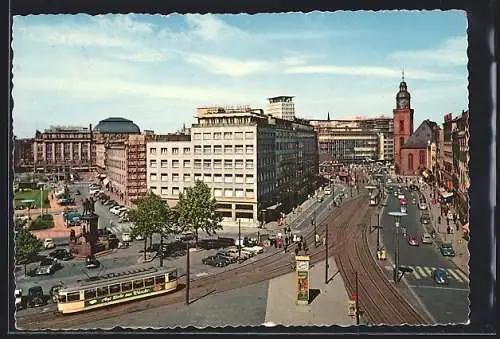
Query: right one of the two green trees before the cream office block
[{"x": 197, "y": 210}]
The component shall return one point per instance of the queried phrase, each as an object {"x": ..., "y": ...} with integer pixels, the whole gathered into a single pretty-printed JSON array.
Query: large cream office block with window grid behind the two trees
[{"x": 249, "y": 160}]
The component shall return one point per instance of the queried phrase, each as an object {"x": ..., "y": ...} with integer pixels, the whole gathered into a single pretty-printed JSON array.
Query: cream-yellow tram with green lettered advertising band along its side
[{"x": 116, "y": 287}]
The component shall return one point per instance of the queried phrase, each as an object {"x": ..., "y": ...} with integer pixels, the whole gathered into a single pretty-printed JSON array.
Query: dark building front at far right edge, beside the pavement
[{"x": 460, "y": 148}]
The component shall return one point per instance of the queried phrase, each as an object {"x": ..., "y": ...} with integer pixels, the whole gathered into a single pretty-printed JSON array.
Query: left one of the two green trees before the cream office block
[{"x": 148, "y": 217}]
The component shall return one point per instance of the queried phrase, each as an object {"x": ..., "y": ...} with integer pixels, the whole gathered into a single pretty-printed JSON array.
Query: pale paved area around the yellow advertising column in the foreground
[{"x": 327, "y": 306}]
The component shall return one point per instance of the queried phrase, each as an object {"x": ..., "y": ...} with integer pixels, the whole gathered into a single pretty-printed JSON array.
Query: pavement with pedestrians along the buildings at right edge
[{"x": 460, "y": 245}]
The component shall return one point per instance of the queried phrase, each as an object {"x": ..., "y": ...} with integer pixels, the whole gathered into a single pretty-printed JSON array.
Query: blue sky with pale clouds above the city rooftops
[{"x": 156, "y": 70}]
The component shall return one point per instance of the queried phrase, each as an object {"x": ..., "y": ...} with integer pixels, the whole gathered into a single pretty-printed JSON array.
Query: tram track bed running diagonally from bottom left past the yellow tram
[{"x": 246, "y": 274}]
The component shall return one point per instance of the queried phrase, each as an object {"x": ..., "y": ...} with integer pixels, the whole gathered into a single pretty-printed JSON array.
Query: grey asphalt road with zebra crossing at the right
[{"x": 446, "y": 304}]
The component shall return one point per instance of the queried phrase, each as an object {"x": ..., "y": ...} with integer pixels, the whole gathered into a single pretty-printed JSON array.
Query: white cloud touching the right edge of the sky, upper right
[{"x": 452, "y": 52}]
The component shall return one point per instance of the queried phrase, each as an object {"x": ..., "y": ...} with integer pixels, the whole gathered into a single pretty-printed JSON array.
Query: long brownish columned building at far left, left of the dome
[{"x": 63, "y": 148}]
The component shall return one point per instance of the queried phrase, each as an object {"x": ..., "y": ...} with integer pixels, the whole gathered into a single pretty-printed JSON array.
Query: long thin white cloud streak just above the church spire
[{"x": 373, "y": 71}]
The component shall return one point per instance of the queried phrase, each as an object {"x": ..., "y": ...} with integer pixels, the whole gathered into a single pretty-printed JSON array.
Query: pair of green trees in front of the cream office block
[{"x": 195, "y": 212}]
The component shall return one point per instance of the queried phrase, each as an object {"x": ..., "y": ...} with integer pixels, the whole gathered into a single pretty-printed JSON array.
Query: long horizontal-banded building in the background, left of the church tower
[{"x": 351, "y": 141}]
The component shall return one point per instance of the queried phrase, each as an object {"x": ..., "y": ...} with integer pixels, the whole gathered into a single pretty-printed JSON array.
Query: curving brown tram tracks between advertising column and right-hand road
[{"x": 377, "y": 297}]
